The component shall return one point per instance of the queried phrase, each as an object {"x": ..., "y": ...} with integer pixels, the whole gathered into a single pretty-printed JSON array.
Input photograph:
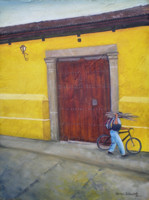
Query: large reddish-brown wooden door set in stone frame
[{"x": 83, "y": 97}]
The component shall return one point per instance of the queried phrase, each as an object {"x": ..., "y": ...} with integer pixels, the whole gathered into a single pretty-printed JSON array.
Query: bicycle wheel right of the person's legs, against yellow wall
[{"x": 133, "y": 145}]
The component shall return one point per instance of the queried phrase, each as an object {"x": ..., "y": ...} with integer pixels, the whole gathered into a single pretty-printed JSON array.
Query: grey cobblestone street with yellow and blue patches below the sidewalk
[{"x": 26, "y": 175}]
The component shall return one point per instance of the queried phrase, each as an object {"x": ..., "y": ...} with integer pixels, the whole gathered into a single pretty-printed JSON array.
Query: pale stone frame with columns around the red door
[{"x": 51, "y": 59}]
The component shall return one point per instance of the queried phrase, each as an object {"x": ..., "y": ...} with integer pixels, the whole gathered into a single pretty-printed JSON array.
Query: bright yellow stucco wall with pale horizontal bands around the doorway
[{"x": 24, "y": 108}]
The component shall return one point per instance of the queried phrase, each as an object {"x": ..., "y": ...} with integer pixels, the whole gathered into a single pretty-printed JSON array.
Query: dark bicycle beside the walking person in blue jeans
[{"x": 133, "y": 145}]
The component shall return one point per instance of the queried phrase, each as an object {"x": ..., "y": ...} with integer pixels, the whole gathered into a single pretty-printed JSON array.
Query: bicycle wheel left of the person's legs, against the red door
[{"x": 104, "y": 142}]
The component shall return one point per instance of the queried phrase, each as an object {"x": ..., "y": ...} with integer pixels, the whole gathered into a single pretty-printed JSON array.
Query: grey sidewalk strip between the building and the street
[{"x": 83, "y": 152}]
